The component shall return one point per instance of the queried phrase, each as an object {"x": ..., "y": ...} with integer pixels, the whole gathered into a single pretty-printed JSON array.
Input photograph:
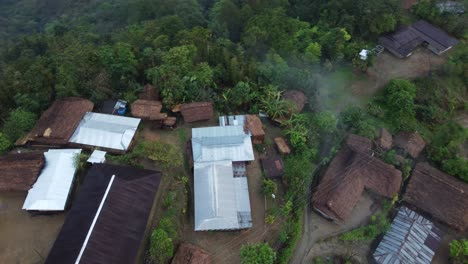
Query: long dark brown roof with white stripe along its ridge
[{"x": 109, "y": 218}]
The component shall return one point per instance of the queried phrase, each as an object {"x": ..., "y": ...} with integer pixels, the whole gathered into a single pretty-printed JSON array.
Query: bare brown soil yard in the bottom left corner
[{"x": 25, "y": 238}]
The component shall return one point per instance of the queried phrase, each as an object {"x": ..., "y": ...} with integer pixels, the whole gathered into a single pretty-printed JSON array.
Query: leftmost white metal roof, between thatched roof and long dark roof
[{"x": 51, "y": 190}]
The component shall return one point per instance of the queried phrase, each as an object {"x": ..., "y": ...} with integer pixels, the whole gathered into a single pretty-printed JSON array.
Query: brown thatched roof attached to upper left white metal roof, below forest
[{"x": 57, "y": 124}]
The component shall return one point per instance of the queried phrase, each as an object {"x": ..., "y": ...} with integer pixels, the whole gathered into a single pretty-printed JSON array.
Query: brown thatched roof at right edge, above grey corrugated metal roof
[{"x": 441, "y": 195}]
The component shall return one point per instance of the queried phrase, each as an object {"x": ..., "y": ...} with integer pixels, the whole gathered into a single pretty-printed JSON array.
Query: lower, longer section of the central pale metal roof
[{"x": 220, "y": 198}]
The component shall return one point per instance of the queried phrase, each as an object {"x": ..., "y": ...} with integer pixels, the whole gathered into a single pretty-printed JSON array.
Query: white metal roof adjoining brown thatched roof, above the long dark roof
[{"x": 107, "y": 131}]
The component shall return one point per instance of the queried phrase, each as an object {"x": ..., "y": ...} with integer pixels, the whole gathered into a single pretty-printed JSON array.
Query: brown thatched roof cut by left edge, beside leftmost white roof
[{"x": 20, "y": 171}]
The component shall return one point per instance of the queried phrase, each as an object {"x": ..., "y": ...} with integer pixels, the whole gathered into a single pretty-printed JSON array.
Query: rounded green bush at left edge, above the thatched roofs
[{"x": 18, "y": 123}]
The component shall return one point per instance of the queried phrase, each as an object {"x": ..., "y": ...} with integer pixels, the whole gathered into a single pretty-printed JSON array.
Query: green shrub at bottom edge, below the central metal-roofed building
[{"x": 257, "y": 254}]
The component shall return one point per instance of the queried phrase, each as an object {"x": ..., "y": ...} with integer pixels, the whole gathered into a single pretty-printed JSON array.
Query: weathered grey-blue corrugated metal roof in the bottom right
[{"x": 411, "y": 239}]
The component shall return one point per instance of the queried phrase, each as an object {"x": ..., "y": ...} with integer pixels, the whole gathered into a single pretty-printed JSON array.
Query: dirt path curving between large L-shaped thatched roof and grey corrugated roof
[{"x": 316, "y": 228}]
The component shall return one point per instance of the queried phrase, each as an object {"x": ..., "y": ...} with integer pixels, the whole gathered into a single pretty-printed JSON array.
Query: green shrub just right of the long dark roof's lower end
[{"x": 161, "y": 247}]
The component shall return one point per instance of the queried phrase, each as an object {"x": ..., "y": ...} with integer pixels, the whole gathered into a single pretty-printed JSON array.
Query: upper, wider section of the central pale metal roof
[{"x": 221, "y": 143}]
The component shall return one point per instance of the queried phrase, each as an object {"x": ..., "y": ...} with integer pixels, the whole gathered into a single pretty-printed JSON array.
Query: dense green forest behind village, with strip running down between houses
[{"x": 239, "y": 54}]
